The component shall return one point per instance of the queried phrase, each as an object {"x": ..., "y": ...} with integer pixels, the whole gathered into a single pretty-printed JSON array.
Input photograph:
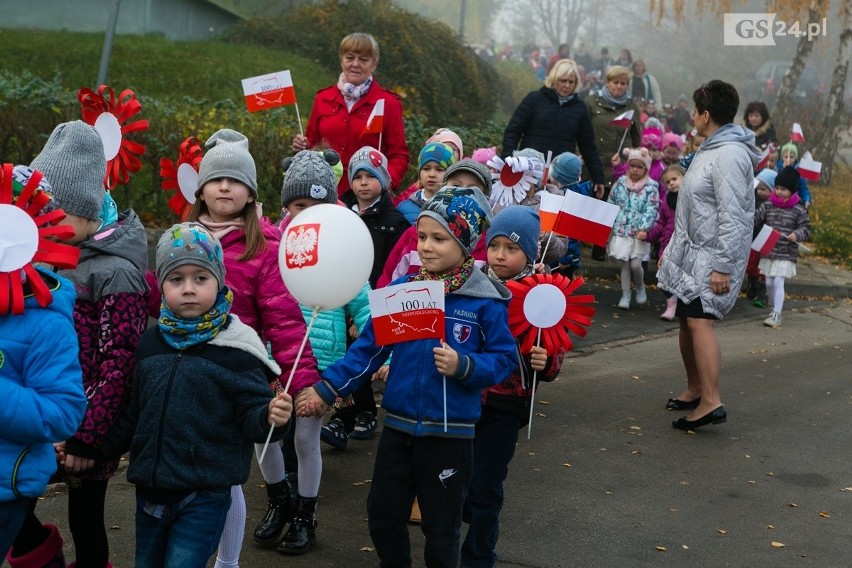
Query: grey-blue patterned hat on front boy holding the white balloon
[{"x": 189, "y": 243}]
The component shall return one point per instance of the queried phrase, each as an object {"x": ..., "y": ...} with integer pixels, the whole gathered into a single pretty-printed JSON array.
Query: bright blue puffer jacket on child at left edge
[{"x": 41, "y": 385}]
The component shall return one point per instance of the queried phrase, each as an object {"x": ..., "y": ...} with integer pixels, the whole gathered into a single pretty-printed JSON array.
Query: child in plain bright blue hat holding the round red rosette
[{"x": 512, "y": 251}]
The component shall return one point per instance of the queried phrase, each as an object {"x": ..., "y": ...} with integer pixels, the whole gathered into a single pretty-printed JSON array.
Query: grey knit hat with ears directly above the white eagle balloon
[{"x": 309, "y": 174}]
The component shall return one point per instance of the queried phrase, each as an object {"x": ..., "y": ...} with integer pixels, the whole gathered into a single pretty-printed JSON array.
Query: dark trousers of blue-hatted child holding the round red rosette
[{"x": 494, "y": 447}]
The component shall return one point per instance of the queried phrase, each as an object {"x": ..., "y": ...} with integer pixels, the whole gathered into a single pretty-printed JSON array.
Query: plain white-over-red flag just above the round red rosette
[{"x": 585, "y": 218}]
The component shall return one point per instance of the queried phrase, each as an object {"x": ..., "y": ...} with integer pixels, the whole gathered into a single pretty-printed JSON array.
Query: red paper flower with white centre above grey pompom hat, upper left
[{"x": 108, "y": 115}]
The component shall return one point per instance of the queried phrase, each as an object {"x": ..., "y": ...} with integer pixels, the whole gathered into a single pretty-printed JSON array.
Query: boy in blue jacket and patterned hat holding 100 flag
[{"x": 416, "y": 457}]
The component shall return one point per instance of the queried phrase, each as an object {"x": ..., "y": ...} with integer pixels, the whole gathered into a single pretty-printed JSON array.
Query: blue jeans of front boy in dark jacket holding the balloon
[{"x": 184, "y": 537}]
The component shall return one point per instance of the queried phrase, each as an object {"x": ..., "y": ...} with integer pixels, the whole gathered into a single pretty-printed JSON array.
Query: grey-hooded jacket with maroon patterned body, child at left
[{"x": 110, "y": 315}]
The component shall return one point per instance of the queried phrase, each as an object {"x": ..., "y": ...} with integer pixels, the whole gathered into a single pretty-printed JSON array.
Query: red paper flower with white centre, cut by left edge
[{"x": 25, "y": 238}]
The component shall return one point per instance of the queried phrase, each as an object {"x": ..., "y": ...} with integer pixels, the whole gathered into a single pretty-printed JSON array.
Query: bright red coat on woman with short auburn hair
[{"x": 341, "y": 130}]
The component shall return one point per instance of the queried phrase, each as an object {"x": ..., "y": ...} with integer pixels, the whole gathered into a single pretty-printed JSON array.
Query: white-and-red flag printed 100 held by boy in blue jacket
[{"x": 409, "y": 311}]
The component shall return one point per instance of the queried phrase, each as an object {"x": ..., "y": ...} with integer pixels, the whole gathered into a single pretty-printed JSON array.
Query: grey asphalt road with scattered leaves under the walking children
[{"x": 605, "y": 481}]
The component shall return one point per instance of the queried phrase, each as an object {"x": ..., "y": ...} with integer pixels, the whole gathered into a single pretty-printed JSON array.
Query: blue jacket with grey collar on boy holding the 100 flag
[{"x": 476, "y": 326}]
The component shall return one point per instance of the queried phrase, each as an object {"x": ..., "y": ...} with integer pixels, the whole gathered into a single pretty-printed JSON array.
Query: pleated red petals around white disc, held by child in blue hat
[{"x": 576, "y": 317}]
